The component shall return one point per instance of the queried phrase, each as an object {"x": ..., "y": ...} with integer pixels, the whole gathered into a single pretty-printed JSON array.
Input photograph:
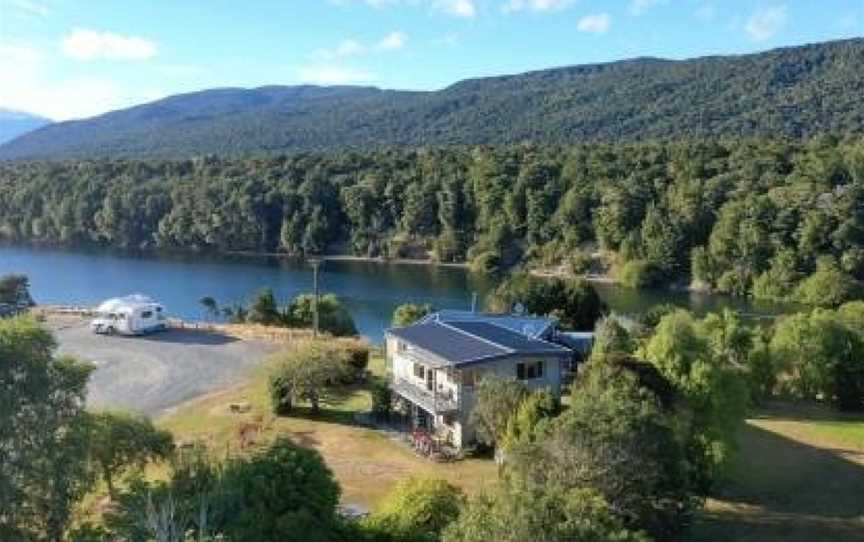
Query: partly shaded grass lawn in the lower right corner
[{"x": 799, "y": 476}]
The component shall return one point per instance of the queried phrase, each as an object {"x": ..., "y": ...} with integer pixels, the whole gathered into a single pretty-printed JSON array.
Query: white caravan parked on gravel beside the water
[{"x": 131, "y": 315}]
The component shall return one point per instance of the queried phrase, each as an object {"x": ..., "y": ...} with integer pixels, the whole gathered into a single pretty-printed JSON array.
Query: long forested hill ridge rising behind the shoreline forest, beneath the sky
[{"x": 795, "y": 91}]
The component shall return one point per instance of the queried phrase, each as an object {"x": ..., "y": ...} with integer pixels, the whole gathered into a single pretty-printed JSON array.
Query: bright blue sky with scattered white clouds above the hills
[{"x": 68, "y": 59}]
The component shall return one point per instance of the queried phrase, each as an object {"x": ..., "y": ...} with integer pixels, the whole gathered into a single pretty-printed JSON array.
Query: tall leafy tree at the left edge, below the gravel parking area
[{"x": 44, "y": 434}]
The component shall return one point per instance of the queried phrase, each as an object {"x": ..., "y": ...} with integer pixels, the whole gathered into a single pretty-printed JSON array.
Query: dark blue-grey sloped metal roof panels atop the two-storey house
[{"x": 459, "y": 343}]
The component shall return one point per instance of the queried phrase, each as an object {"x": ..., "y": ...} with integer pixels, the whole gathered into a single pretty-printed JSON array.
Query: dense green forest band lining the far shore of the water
[{"x": 773, "y": 218}]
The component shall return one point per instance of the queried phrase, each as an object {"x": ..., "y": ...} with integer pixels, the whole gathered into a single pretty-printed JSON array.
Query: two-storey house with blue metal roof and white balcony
[{"x": 436, "y": 363}]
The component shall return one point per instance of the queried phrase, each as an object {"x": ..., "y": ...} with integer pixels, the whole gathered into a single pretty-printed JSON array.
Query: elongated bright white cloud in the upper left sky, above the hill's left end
[{"x": 84, "y": 44}]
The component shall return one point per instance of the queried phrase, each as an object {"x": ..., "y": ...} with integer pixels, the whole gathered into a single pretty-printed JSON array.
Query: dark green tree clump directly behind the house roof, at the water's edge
[{"x": 574, "y": 303}]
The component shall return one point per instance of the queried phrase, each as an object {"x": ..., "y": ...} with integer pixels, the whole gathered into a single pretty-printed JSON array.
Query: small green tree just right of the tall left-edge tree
[{"x": 120, "y": 441}]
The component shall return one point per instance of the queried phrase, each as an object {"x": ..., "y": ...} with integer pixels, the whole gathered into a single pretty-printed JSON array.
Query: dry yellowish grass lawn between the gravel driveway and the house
[{"x": 366, "y": 462}]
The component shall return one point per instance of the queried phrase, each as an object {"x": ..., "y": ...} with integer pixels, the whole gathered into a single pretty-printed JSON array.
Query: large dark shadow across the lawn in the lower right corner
[{"x": 782, "y": 489}]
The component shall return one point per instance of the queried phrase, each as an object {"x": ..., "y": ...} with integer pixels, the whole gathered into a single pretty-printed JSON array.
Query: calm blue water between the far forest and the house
[{"x": 370, "y": 290}]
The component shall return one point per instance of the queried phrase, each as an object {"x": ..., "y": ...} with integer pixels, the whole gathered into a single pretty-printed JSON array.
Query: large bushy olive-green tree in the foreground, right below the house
[{"x": 622, "y": 440}]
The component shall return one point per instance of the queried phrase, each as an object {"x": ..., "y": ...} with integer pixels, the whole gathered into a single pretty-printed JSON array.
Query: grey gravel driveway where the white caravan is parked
[{"x": 153, "y": 373}]
